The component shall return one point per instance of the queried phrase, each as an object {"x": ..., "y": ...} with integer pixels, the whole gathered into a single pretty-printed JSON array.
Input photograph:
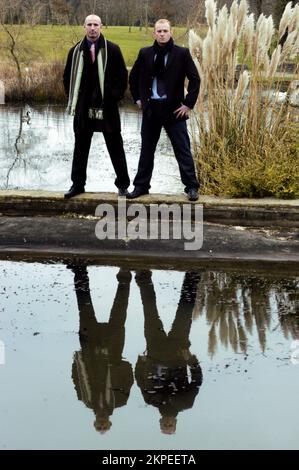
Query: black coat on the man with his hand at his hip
[{"x": 179, "y": 66}]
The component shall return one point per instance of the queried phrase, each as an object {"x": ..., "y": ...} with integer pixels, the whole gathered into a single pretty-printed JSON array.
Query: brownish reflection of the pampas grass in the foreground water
[{"x": 234, "y": 305}]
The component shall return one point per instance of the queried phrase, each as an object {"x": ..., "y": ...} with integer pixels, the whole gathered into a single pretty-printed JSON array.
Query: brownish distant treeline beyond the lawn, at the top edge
[{"x": 120, "y": 12}]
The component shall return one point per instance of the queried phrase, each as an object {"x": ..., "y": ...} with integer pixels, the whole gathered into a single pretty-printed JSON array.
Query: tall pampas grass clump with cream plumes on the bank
[{"x": 245, "y": 135}]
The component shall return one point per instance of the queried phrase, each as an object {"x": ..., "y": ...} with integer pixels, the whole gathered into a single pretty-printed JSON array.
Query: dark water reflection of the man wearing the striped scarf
[{"x": 102, "y": 378}]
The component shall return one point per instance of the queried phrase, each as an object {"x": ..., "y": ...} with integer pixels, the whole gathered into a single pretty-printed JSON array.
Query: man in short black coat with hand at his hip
[{"x": 157, "y": 82}]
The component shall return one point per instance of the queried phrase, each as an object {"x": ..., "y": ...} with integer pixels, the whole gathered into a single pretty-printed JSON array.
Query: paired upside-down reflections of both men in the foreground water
[{"x": 168, "y": 375}]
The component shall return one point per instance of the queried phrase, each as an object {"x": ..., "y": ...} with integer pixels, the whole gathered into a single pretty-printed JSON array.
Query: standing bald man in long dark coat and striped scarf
[{"x": 95, "y": 79}]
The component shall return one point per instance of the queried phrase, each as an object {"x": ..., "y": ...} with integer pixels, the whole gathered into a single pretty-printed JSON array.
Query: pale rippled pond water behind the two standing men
[{"x": 38, "y": 155}]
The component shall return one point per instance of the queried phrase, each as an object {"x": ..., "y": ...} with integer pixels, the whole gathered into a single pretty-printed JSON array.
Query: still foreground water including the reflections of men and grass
[{"x": 100, "y": 357}]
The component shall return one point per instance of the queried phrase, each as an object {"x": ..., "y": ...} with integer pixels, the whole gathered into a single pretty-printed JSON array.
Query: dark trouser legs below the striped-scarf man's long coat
[{"x": 115, "y": 148}]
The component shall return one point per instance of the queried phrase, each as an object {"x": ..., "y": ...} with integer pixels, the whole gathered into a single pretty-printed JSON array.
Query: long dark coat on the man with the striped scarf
[{"x": 115, "y": 84}]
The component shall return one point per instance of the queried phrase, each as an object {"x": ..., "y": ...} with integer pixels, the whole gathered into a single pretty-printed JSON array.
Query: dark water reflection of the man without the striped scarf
[{"x": 169, "y": 375}]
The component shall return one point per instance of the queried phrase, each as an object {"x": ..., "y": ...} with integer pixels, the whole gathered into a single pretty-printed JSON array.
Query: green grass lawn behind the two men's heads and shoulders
[{"x": 48, "y": 43}]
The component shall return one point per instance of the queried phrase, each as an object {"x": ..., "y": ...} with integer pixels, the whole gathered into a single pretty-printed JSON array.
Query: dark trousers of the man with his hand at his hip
[{"x": 153, "y": 120}]
